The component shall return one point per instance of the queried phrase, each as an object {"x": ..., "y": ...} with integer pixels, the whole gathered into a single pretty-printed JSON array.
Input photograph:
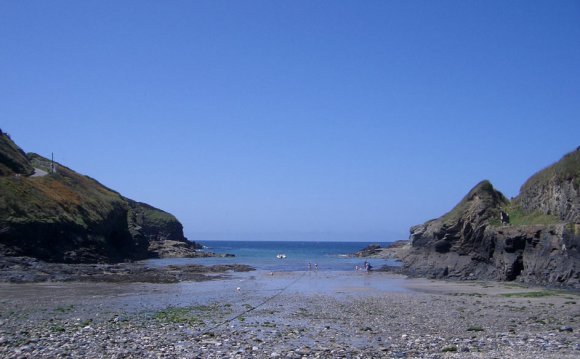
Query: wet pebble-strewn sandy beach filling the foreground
[{"x": 289, "y": 315}]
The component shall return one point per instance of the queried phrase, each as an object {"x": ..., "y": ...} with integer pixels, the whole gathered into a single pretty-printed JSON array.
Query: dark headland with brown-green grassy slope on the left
[{"x": 62, "y": 216}]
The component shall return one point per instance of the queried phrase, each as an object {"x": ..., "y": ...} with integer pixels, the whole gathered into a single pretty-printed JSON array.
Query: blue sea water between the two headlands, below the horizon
[{"x": 329, "y": 256}]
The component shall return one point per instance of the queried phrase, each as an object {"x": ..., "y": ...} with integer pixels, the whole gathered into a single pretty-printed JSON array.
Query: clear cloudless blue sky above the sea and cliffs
[{"x": 294, "y": 119}]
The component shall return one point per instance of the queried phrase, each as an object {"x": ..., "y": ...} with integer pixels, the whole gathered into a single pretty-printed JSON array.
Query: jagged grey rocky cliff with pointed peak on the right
[{"x": 541, "y": 246}]
